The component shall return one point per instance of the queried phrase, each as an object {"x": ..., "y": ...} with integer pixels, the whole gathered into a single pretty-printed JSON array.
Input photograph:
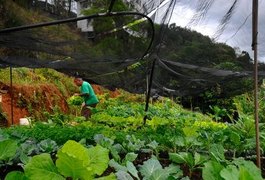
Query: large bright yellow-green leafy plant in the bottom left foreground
[{"x": 73, "y": 161}]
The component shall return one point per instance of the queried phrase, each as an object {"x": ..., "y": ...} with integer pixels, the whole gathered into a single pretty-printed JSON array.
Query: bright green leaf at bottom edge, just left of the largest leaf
[{"x": 41, "y": 167}]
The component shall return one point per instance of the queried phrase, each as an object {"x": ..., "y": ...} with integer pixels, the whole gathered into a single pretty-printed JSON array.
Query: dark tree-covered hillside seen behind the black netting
[{"x": 190, "y": 66}]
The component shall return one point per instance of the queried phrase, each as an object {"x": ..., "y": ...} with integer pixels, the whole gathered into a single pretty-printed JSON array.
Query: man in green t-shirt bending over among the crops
[{"x": 89, "y": 96}]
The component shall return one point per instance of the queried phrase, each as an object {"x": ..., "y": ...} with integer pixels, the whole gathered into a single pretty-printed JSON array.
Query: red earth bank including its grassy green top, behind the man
[{"x": 36, "y": 92}]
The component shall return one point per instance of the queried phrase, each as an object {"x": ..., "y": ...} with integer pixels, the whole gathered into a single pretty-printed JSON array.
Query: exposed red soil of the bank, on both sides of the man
[{"x": 34, "y": 99}]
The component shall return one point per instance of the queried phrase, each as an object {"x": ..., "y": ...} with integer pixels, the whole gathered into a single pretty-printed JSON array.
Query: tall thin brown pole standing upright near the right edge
[{"x": 254, "y": 48}]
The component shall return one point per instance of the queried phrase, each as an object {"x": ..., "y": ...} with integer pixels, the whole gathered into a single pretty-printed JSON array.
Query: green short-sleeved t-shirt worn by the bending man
[{"x": 87, "y": 88}]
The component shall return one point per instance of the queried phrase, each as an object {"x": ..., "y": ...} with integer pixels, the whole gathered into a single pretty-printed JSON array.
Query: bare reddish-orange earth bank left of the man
[{"x": 42, "y": 97}]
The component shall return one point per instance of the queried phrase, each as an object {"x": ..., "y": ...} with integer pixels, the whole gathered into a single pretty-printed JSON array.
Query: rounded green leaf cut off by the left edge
[{"x": 8, "y": 149}]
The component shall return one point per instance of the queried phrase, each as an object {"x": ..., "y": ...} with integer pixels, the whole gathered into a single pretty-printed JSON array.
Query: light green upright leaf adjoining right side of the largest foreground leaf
[{"x": 99, "y": 157}]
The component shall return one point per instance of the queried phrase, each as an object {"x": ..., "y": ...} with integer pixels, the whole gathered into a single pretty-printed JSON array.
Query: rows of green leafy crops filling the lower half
[{"x": 114, "y": 144}]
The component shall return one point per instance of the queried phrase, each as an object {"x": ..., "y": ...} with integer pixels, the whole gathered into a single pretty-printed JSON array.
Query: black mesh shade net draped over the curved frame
[{"x": 120, "y": 49}]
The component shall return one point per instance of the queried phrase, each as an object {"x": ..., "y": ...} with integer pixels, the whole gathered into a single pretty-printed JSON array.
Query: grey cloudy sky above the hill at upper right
[{"x": 238, "y": 31}]
